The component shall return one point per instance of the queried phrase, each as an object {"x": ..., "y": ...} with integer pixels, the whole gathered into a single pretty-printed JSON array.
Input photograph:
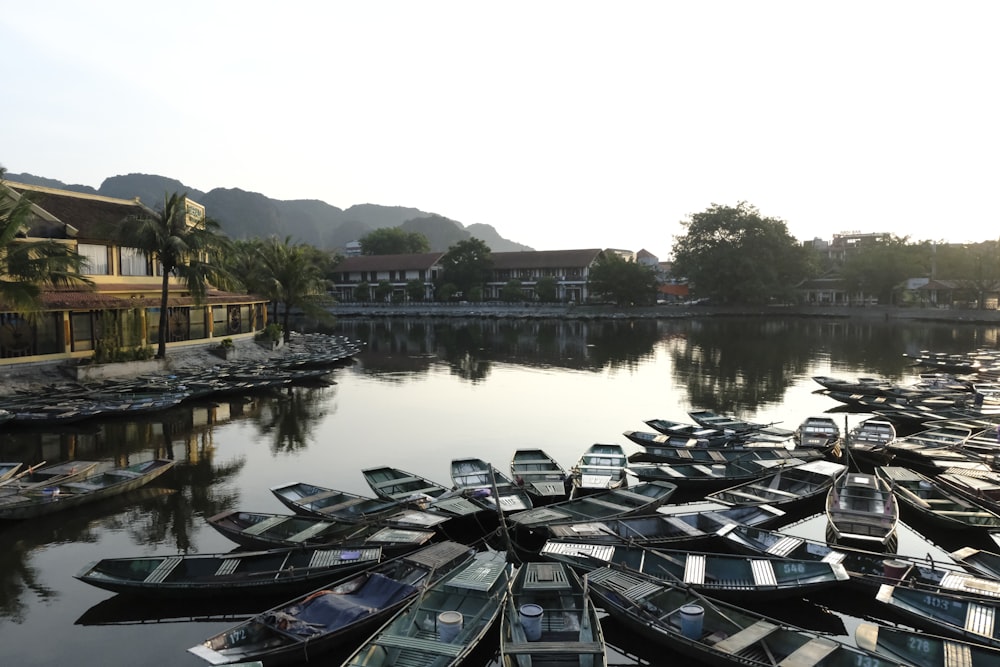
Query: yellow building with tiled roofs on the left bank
[{"x": 127, "y": 286}]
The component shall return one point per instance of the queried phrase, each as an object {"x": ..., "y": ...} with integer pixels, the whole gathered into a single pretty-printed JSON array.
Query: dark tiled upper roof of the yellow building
[{"x": 91, "y": 215}]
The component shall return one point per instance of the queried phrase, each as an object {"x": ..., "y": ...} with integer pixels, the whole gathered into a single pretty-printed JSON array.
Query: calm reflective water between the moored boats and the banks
[{"x": 422, "y": 393}]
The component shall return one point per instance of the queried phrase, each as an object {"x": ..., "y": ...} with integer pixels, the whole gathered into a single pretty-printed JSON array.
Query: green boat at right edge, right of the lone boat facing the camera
[{"x": 933, "y": 504}]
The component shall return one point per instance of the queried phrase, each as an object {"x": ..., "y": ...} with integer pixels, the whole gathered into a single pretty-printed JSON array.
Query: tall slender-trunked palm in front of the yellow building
[{"x": 180, "y": 248}]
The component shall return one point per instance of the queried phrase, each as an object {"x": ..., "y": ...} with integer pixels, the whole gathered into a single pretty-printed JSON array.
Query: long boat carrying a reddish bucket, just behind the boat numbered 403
[{"x": 868, "y": 569}]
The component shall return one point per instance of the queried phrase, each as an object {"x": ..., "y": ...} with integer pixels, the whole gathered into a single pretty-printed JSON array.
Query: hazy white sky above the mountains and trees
[{"x": 563, "y": 124}]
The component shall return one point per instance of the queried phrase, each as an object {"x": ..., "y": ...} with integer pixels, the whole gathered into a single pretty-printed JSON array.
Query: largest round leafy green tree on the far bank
[{"x": 733, "y": 254}]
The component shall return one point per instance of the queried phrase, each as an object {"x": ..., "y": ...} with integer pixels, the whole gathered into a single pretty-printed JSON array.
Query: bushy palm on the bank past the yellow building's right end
[{"x": 293, "y": 274}]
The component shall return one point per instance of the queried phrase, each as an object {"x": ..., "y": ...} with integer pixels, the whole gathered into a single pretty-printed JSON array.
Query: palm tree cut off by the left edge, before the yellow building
[{"x": 26, "y": 267}]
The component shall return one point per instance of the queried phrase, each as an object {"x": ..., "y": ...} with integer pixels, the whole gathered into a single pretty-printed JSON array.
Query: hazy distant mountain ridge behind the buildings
[{"x": 243, "y": 214}]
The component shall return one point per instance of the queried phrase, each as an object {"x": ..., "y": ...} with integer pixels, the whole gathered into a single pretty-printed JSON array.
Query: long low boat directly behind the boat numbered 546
[{"x": 690, "y": 530}]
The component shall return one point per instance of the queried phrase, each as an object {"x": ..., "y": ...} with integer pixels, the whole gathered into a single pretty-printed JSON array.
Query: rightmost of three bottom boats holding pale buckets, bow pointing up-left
[{"x": 714, "y": 632}]
